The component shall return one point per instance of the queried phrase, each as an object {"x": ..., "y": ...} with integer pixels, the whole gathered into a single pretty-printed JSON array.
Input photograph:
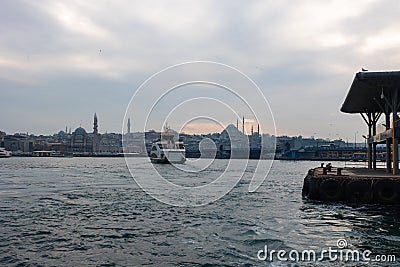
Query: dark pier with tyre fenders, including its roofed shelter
[{"x": 372, "y": 95}]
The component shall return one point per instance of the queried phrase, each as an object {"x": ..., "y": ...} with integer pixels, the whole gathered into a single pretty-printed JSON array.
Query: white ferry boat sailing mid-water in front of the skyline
[{"x": 167, "y": 150}]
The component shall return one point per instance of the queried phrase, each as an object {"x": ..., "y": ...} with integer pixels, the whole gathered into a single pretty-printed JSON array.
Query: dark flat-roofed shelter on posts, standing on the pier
[{"x": 373, "y": 94}]
